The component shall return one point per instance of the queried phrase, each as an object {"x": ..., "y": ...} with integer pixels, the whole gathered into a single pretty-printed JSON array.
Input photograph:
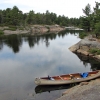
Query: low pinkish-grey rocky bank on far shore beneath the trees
[{"x": 33, "y": 29}]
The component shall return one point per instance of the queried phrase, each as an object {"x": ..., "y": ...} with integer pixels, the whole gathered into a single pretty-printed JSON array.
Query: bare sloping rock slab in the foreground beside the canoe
[{"x": 83, "y": 91}]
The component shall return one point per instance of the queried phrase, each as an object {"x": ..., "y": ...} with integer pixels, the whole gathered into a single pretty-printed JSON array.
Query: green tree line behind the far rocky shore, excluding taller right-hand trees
[{"x": 14, "y": 16}]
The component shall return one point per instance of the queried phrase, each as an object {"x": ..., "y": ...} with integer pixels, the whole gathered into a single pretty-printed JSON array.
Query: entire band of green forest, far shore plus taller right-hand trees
[{"x": 15, "y": 17}]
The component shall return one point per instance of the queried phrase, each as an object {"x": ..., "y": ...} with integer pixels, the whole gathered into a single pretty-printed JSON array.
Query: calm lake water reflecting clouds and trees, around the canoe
[{"x": 22, "y": 58}]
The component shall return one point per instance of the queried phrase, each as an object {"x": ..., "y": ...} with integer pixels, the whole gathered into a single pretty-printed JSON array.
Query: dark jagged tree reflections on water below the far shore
[{"x": 15, "y": 41}]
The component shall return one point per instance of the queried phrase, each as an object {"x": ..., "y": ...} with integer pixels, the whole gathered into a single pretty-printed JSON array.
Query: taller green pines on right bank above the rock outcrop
[{"x": 91, "y": 20}]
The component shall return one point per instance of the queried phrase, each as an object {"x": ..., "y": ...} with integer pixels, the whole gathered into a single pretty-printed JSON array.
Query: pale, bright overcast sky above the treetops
[{"x": 68, "y": 8}]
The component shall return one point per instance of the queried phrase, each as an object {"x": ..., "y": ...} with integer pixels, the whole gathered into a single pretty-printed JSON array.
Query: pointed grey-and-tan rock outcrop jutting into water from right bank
[{"x": 83, "y": 47}]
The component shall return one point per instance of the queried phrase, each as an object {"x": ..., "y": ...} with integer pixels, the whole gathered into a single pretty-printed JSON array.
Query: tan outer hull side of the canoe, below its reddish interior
[{"x": 40, "y": 81}]
